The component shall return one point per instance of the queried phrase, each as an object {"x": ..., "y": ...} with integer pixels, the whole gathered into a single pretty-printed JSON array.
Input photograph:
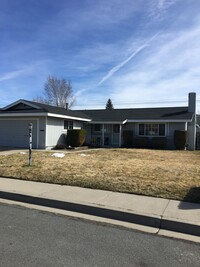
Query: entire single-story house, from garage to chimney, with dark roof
[{"x": 105, "y": 127}]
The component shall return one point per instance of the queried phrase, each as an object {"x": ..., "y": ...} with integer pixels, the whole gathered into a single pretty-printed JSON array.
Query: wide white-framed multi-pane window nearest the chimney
[{"x": 153, "y": 129}]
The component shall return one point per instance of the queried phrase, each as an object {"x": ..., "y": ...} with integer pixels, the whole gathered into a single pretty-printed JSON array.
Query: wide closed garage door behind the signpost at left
[{"x": 15, "y": 133}]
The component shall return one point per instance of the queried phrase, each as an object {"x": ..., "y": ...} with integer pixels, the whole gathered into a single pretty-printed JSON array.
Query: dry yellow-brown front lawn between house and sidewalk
[{"x": 167, "y": 174}]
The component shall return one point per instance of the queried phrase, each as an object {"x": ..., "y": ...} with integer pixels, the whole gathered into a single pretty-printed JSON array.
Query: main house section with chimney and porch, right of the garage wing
[{"x": 107, "y": 127}]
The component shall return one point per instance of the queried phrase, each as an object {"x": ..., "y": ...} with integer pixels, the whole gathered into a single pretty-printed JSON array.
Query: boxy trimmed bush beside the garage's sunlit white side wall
[{"x": 75, "y": 138}]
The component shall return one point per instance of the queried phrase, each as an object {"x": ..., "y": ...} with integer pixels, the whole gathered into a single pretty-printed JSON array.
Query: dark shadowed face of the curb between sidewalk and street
[{"x": 151, "y": 221}]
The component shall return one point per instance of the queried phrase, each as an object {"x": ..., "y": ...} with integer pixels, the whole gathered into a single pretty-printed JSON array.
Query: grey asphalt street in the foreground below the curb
[{"x": 35, "y": 238}]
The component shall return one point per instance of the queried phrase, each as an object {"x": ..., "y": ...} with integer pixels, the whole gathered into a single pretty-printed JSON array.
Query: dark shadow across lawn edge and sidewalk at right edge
[{"x": 193, "y": 195}]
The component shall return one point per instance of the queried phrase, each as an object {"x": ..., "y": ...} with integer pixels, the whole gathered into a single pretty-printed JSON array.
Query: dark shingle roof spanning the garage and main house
[{"x": 107, "y": 115}]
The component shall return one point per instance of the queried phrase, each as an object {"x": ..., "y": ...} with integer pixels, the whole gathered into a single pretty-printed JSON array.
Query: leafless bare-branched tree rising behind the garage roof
[{"x": 57, "y": 93}]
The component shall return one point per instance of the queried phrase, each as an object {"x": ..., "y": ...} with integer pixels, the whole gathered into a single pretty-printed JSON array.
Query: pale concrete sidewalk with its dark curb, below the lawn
[{"x": 164, "y": 214}]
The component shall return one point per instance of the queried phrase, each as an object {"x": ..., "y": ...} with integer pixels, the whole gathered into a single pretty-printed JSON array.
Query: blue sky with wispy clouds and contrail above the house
[{"x": 139, "y": 53}]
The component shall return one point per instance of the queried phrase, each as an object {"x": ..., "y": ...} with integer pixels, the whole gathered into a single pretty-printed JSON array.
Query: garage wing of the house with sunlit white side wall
[{"x": 50, "y": 124}]
